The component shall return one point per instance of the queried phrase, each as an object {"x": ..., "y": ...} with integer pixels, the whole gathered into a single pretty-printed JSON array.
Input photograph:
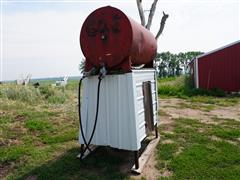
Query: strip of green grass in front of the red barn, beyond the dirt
[{"x": 181, "y": 87}]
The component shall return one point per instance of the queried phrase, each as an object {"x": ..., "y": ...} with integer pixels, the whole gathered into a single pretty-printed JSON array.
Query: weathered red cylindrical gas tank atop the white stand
[{"x": 111, "y": 38}]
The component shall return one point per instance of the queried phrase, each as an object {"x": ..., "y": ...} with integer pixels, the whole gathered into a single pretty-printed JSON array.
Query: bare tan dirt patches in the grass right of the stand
[{"x": 176, "y": 108}]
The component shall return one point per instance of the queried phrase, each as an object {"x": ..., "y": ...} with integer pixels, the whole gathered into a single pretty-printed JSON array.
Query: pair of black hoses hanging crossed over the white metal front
[{"x": 96, "y": 115}]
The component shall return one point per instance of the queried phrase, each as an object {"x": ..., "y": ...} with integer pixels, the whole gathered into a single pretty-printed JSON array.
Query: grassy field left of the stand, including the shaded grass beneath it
[{"x": 39, "y": 136}]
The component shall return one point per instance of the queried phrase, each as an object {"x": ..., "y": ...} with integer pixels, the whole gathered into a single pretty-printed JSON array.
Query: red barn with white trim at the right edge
[{"x": 219, "y": 68}]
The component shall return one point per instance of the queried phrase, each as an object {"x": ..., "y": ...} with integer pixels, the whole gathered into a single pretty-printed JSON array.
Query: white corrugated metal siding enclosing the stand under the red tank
[{"x": 121, "y": 119}]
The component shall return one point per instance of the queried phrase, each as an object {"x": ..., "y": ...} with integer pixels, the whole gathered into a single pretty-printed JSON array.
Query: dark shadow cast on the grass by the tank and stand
[{"x": 104, "y": 163}]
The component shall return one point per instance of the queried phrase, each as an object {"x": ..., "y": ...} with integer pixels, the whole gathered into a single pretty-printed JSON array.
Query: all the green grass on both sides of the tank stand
[{"x": 39, "y": 132}]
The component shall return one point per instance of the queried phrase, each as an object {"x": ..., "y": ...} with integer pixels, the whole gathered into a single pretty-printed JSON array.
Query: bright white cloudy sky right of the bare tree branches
[{"x": 199, "y": 26}]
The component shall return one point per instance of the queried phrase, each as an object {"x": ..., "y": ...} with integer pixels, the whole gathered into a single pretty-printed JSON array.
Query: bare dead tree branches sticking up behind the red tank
[{"x": 150, "y": 17}]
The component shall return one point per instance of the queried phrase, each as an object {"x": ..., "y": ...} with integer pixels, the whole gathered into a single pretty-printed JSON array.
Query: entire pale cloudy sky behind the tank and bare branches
[{"x": 41, "y": 38}]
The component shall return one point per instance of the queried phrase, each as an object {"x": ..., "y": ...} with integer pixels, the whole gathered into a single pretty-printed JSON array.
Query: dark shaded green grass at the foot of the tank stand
[{"x": 101, "y": 166}]
